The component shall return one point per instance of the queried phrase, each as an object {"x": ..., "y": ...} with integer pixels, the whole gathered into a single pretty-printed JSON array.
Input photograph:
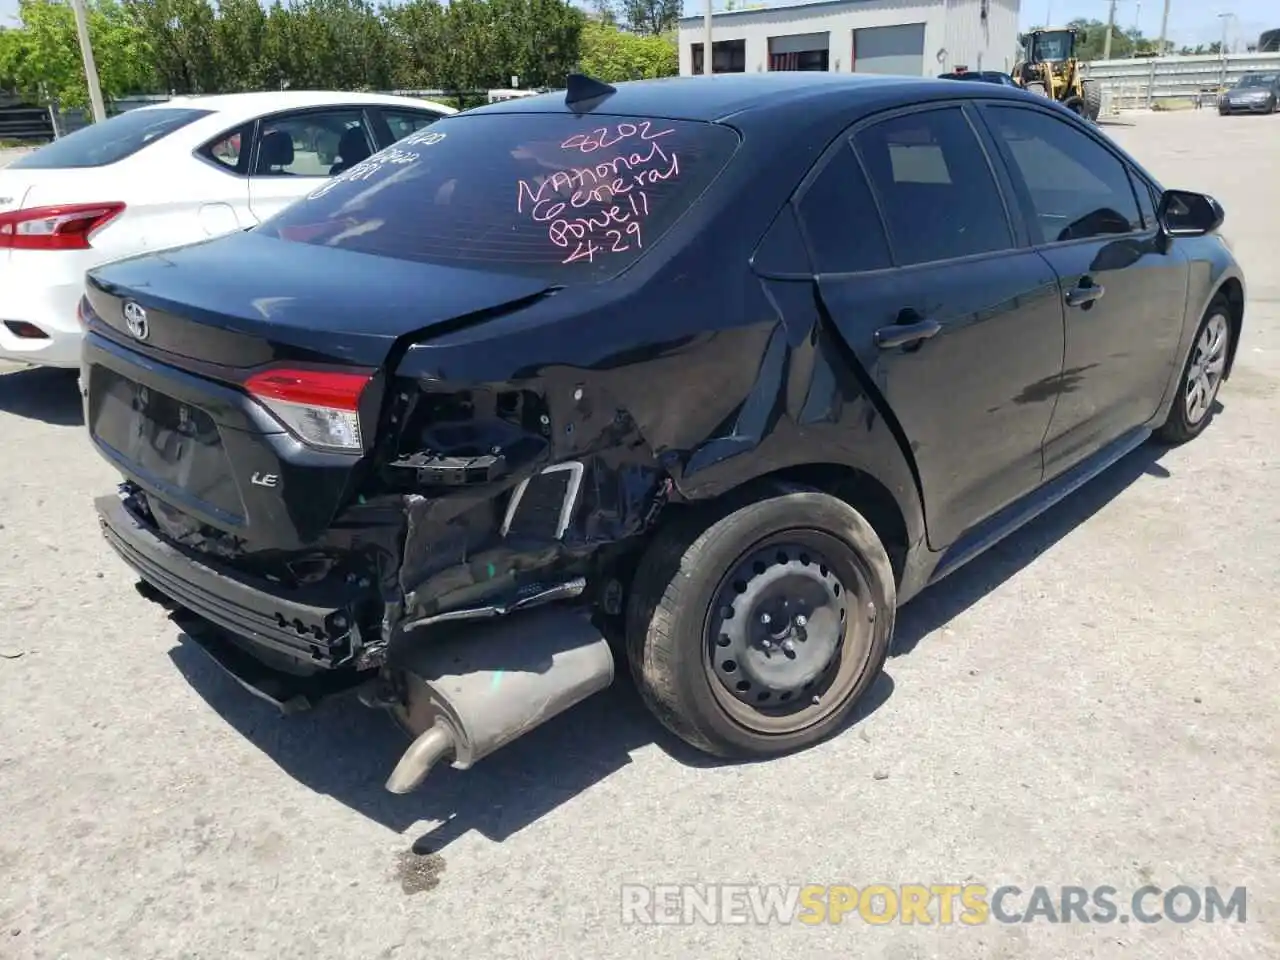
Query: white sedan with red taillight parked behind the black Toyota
[{"x": 162, "y": 177}]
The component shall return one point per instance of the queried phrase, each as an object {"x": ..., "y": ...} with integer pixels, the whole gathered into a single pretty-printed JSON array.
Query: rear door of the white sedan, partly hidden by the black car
[{"x": 298, "y": 152}]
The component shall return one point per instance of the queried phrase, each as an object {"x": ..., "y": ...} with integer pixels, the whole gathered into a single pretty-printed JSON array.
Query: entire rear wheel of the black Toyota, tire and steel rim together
[{"x": 757, "y": 634}]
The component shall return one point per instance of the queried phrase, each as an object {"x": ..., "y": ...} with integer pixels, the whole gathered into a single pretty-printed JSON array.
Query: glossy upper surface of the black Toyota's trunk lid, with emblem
[{"x": 246, "y": 300}]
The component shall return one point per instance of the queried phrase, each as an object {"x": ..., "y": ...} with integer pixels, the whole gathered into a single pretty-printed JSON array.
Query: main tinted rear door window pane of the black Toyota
[{"x": 935, "y": 186}]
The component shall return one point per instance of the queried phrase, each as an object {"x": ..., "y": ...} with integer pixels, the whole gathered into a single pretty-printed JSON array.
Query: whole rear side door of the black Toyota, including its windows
[{"x": 961, "y": 327}]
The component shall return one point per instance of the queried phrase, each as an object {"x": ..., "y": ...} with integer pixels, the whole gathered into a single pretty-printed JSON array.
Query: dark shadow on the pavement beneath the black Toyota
[{"x": 346, "y": 751}]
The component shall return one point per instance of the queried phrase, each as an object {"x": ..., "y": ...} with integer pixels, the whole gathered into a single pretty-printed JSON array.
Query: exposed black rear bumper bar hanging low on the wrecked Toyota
[{"x": 304, "y": 627}]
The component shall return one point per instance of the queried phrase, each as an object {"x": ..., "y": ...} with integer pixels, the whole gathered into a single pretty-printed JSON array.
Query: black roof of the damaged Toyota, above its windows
[{"x": 746, "y": 95}]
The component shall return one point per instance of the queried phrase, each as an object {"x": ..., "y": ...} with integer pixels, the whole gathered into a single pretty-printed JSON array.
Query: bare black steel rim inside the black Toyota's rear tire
[{"x": 821, "y": 584}]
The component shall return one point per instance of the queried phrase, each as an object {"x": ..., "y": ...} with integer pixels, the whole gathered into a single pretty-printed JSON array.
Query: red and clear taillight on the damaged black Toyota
[{"x": 321, "y": 408}]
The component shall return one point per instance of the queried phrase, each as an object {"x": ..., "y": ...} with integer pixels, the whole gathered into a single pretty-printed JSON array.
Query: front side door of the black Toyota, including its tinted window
[{"x": 1124, "y": 287}]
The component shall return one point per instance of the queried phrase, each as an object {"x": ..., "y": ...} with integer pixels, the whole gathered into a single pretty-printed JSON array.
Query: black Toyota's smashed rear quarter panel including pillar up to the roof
[{"x": 683, "y": 380}]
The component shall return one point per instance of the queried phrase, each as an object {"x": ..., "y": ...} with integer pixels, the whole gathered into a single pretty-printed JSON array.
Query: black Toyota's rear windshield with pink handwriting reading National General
[{"x": 568, "y": 199}]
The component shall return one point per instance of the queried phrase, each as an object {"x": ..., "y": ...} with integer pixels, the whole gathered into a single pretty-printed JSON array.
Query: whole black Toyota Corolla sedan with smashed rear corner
[{"x": 701, "y": 377}]
